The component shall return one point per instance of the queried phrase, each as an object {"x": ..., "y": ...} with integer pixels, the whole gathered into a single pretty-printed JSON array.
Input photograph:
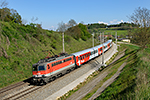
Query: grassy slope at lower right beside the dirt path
[{"x": 133, "y": 82}]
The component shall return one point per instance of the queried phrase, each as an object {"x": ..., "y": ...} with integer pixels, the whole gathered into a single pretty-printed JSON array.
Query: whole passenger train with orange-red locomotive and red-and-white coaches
[{"x": 52, "y": 67}]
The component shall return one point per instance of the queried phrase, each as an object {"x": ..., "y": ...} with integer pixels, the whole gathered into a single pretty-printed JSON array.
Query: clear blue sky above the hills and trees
[{"x": 52, "y": 12}]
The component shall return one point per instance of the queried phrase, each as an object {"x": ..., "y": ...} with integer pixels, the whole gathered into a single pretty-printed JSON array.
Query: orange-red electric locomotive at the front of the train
[{"x": 48, "y": 69}]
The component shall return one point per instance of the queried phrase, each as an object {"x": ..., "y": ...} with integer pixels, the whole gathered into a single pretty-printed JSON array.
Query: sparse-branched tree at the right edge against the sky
[{"x": 141, "y": 35}]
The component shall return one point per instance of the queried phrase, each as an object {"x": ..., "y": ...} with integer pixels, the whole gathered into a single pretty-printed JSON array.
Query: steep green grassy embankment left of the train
[{"x": 21, "y": 46}]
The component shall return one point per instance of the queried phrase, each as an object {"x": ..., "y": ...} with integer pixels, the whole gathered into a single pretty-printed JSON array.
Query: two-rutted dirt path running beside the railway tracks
[{"x": 82, "y": 92}]
